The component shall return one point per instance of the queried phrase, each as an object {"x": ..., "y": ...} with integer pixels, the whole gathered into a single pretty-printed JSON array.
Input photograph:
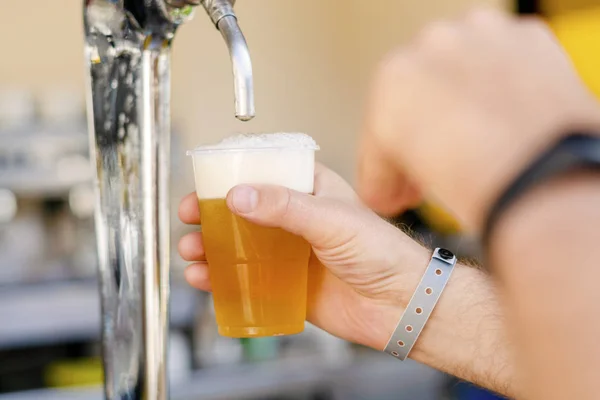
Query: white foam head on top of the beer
[{"x": 284, "y": 159}]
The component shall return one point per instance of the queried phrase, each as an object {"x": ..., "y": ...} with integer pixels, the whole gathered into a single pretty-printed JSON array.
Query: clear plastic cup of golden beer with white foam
[{"x": 258, "y": 274}]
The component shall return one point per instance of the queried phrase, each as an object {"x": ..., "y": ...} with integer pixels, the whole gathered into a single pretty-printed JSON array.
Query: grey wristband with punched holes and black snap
[{"x": 421, "y": 304}]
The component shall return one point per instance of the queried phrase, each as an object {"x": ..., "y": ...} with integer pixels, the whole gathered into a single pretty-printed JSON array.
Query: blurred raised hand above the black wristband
[{"x": 460, "y": 110}]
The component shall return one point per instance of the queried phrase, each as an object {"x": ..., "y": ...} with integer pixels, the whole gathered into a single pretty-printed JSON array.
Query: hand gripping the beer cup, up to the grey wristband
[{"x": 362, "y": 271}]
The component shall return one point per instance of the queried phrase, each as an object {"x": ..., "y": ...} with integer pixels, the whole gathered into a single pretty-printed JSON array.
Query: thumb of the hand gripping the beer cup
[{"x": 323, "y": 222}]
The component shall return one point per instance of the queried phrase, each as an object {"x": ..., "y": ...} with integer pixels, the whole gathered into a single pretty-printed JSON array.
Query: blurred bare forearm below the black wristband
[{"x": 545, "y": 254}]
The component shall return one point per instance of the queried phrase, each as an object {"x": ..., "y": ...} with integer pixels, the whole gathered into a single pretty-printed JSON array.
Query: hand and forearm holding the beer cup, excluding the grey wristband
[{"x": 362, "y": 274}]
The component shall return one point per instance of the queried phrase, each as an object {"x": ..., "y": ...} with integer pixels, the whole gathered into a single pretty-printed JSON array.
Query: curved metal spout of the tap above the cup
[{"x": 222, "y": 14}]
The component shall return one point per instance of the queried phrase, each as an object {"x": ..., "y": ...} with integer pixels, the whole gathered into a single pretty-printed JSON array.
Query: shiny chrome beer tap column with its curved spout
[{"x": 127, "y": 49}]
